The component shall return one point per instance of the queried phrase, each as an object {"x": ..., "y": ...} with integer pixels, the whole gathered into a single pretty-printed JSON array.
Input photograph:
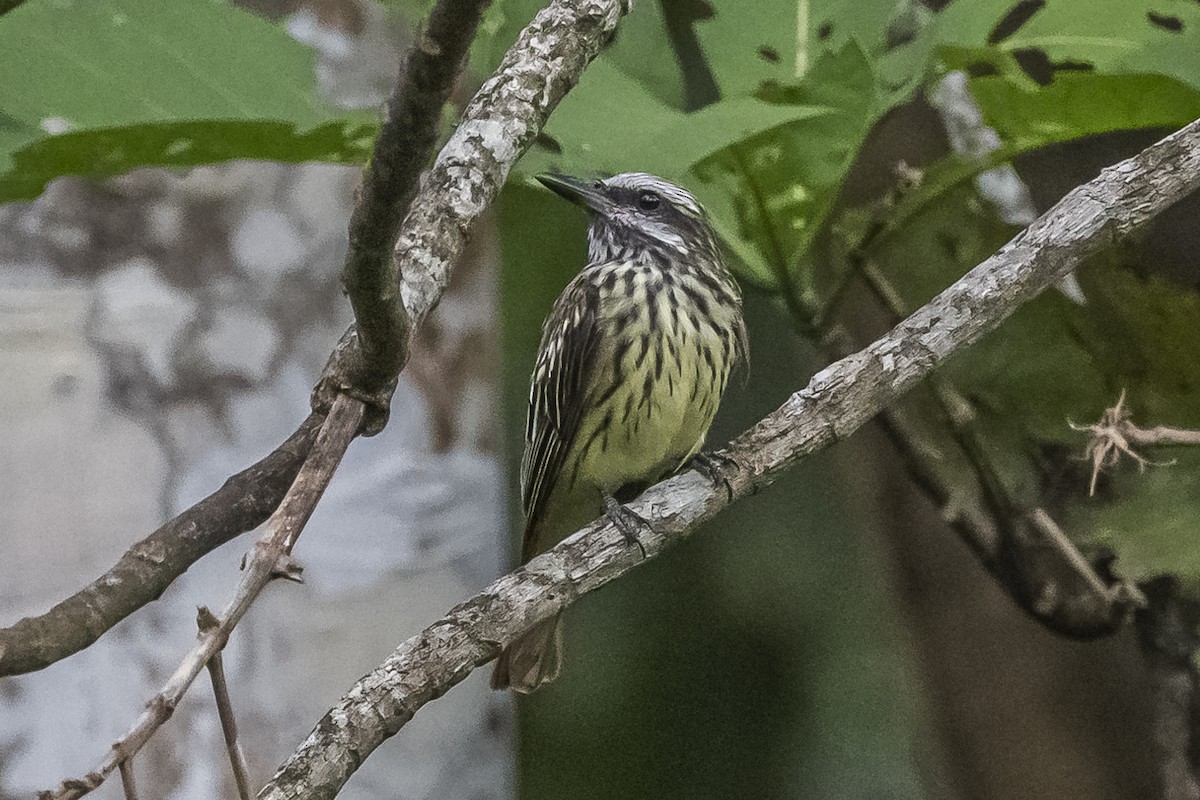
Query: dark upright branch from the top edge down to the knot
[{"x": 391, "y": 183}]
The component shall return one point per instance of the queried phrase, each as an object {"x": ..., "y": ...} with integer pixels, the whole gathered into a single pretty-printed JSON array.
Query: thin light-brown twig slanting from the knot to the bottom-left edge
[{"x": 269, "y": 558}]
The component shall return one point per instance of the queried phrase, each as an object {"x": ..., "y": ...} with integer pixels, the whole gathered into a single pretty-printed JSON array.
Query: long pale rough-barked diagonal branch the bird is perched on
[{"x": 836, "y": 404}]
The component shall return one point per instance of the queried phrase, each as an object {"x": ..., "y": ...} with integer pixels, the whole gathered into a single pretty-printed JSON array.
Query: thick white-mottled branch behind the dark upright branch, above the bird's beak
[{"x": 499, "y": 127}]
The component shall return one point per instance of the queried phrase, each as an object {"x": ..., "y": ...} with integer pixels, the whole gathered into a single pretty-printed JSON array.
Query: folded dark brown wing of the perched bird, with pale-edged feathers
[{"x": 557, "y": 398}]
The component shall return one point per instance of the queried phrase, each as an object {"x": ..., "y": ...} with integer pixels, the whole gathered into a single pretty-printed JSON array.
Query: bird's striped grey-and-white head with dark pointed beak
[{"x": 637, "y": 216}]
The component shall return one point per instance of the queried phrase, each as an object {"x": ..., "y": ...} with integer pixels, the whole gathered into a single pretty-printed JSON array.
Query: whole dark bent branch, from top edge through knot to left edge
[{"x": 247, "y": 500}]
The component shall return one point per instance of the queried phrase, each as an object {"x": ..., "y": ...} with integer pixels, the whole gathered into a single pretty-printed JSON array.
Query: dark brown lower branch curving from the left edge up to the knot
[{"x": 151, "y": 566}]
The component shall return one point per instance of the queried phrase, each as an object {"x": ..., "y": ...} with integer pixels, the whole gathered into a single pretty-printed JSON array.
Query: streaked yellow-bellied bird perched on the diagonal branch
[{"x": 634, "y": 359}]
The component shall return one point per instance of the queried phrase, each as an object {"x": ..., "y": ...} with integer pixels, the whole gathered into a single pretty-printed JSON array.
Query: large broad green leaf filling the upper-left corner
[{"x": 109, "y": 86}]
